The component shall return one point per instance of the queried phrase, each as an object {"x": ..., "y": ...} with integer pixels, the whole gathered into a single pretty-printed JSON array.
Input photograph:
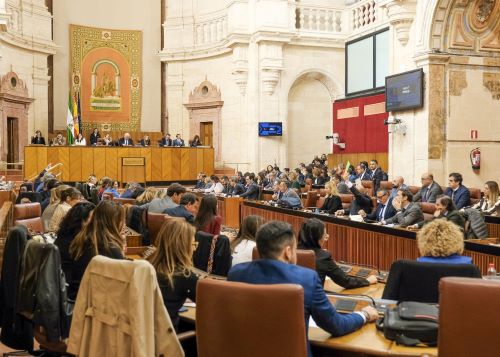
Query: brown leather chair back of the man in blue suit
[{"x": 247, "y": 320}]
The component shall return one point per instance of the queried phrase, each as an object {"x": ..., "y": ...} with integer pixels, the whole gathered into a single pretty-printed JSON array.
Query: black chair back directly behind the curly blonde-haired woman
[{"x": 410, "y": 280}]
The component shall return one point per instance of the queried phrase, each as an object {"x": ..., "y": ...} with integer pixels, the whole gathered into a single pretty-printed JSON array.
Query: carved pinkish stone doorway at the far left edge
[{"x": 14, "y": 105}]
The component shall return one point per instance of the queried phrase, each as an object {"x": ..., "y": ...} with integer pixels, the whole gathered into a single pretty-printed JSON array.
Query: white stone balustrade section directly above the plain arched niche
[{"x": 319, "y": 19}]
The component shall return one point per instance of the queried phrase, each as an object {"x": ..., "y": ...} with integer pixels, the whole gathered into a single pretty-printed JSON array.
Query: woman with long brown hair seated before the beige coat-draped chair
[{"x": 100, "y": 236}]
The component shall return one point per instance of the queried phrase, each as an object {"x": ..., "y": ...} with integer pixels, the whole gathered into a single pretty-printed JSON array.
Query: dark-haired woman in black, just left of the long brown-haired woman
[{"x": 70, "y": 226}]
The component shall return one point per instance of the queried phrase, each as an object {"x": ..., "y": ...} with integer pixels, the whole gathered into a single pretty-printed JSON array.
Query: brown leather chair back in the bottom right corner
[{"x": 469, "y": 312}]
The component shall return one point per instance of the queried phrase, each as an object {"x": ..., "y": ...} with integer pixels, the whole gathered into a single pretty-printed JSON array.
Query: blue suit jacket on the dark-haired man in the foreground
[{"x": 316, "y": 303}]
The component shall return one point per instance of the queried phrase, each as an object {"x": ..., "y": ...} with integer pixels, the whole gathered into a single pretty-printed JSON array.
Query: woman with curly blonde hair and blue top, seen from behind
[{"x": 441, "y": 241}]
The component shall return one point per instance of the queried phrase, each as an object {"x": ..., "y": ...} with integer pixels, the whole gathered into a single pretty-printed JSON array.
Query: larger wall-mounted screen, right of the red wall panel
[{"x": 404, "y": 91}]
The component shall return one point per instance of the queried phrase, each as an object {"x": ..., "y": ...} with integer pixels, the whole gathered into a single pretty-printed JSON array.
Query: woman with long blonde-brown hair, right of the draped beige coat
[{"x": 173, "y": 262}]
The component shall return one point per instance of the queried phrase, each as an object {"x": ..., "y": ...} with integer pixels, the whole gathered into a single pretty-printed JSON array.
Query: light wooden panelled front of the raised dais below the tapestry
[{"x": 162, "y": 164}]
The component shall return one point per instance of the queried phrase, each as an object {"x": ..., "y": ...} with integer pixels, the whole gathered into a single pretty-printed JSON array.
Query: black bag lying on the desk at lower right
[{"x": 411, "y": 324}]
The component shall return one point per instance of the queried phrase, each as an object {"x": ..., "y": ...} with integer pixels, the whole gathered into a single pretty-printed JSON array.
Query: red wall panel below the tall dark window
[{"x": 361, "y": 132}]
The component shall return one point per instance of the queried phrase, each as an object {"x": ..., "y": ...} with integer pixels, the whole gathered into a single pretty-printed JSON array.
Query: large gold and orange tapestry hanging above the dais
[{"x": 106, "y": 69}]
